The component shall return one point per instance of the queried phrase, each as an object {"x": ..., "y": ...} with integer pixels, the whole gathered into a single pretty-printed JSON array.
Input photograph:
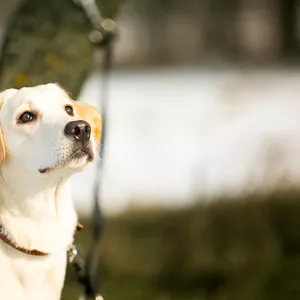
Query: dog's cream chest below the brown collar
[{"x": 33, "y": 278}]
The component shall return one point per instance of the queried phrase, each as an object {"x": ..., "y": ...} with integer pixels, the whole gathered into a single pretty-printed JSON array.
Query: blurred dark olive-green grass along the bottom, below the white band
[{"x": 242, "y": 250}]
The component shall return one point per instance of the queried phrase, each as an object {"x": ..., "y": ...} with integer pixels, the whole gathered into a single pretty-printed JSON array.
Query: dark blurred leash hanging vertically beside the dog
[{"x": 104, "y": 31}]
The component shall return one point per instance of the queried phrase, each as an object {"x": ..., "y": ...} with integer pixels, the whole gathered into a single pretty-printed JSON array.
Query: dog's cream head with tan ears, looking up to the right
[{"x": 44, "y": 131}]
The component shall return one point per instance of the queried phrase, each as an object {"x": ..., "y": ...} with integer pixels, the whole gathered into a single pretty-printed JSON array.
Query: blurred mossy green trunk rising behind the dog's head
[{"x": 47, "y": 41}]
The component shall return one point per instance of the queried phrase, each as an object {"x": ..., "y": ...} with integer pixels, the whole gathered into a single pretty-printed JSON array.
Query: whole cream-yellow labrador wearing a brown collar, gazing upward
[{"x": 45, "y": 138}]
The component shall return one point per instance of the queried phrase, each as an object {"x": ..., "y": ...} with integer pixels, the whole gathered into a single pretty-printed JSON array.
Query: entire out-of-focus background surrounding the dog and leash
[{"x": 201, "y": 171}]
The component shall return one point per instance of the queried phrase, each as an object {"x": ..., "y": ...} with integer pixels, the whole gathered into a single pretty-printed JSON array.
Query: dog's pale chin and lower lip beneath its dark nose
[{"x": 74, "y": 163}]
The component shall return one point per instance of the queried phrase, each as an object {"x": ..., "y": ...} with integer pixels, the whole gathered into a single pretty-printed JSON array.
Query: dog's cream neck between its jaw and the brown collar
[{"x": 37, "y": 210}]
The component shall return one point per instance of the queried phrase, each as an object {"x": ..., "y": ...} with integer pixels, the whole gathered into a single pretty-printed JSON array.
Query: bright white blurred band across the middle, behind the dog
[{"x": 177, "y": 134}]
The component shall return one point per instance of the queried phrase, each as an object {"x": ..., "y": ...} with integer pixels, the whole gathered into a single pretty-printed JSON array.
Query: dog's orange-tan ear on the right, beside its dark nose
[{"x": 91, "y": 115}]
